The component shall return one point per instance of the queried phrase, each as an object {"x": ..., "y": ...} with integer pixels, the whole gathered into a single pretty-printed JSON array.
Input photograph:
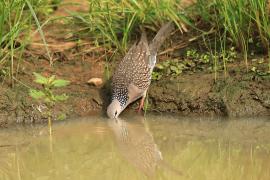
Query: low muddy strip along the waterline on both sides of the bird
[{"x": 188, "y": 94}]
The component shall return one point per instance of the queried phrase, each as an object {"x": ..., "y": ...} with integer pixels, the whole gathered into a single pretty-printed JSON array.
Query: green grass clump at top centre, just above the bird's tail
[{"x": 114, "y": 24}]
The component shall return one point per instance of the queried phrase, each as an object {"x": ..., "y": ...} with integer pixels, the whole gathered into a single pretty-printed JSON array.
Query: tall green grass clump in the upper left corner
[{"x": 16, "y": 20}]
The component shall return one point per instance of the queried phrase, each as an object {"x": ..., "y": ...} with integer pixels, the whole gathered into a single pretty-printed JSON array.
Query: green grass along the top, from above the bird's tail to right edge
[{"x": 243, "y": 24}]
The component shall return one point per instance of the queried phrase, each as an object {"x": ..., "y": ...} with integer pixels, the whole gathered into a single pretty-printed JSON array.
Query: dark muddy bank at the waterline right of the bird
[{"x": 200, "y": 94}]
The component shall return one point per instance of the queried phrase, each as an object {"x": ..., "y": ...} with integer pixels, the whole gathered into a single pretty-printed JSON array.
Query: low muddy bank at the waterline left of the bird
[{"x": 17, "y": 107}]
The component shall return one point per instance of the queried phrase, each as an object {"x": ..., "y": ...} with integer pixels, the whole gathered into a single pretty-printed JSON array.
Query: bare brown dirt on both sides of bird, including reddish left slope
[{"x": 197, "y": 93}]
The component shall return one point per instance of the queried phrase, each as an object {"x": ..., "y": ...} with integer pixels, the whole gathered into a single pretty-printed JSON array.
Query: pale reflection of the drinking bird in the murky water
[{"x": 137, "y": 145}]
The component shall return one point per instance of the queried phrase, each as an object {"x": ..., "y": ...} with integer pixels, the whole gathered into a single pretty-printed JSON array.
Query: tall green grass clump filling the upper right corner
[{"x": 243, "y": 23}]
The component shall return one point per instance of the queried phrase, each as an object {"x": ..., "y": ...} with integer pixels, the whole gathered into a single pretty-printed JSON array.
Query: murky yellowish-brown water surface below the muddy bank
[{"x": 137, "y": 147}]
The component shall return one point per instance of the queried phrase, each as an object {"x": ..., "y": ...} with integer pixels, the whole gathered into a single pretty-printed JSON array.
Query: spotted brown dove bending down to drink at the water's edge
[{"x": 133, "y": 74}]
